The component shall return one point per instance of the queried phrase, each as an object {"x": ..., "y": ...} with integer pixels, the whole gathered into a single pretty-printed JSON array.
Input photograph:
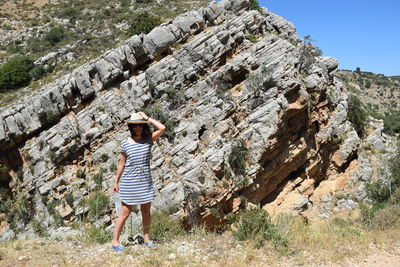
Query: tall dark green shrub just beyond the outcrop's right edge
[{"x": 357, "y": 115}]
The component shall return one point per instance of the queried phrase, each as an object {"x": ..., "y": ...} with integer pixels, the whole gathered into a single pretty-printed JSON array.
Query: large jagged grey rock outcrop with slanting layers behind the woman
[{"x": 246, "y": 121}]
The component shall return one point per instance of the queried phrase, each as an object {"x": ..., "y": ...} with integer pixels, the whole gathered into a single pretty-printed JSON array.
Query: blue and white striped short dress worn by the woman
[{"x": 136, "y": 185}]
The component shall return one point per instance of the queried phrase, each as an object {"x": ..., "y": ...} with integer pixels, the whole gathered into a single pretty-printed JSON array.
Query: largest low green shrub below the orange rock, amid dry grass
[{"x": 255, "y": 225}]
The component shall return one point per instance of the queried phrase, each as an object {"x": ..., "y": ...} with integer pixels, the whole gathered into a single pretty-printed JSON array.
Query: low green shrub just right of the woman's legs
[{"x": 164, "y": 227}]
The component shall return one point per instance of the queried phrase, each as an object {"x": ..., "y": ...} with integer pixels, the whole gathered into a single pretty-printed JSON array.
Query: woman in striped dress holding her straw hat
[{"x": 136, "y": 186}]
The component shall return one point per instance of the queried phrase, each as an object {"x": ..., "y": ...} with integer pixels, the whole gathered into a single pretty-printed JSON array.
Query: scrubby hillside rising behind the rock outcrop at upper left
[{"x": 61, "y": 35}]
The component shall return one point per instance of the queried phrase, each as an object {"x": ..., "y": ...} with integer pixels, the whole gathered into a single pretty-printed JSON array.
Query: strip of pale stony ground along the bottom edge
[{"x": 210, "y": 250}]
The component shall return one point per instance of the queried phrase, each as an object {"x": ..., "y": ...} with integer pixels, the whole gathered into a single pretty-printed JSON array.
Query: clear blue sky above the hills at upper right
[{"x": 359, "y": 33}]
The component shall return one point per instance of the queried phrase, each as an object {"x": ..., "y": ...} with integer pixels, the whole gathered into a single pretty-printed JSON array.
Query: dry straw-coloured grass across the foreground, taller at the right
[{"x": 319, "y": 242}]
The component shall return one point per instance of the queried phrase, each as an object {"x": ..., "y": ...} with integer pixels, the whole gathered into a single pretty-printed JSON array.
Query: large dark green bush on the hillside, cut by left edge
[{"x": 15, "y": 73}]
